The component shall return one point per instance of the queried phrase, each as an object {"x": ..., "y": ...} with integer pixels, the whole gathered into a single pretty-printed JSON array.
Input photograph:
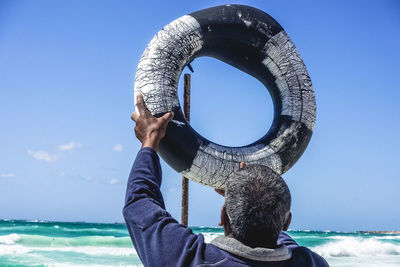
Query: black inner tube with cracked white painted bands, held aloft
[{"x": 252, "y": 41}]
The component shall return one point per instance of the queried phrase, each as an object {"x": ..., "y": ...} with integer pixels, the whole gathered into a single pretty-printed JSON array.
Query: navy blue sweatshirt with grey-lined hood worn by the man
[{"x": 161, "y": 241}]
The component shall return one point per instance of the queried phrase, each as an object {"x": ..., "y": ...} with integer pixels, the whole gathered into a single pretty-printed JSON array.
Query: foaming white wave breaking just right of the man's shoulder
[{"x": 357, "y": 247}]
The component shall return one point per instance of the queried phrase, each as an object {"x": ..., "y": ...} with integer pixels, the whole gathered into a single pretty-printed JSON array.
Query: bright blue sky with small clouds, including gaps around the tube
[{"x": 66, "y": 94}]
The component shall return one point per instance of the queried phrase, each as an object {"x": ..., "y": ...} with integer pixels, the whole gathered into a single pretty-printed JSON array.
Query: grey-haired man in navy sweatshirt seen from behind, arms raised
[{"x": 256, "y": 210}]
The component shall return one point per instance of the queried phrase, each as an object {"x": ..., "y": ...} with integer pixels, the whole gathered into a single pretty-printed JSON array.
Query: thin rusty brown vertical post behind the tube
[{"x": 185, "y": 181}]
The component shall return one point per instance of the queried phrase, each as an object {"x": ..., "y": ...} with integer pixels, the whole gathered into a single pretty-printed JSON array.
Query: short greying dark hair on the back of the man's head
[{"x": 257, "y": 202}]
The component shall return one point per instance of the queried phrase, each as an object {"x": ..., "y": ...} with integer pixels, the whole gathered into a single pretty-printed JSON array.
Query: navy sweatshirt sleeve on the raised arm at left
[{"x": 158, "y": 238}]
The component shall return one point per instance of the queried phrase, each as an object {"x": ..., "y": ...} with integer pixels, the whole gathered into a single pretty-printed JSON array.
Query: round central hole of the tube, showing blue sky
[{"x": 227, "y": 106}]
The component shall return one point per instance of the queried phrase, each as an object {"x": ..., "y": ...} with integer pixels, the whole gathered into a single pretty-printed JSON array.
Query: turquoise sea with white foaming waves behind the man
[{"x": 43, "y": 243}]
